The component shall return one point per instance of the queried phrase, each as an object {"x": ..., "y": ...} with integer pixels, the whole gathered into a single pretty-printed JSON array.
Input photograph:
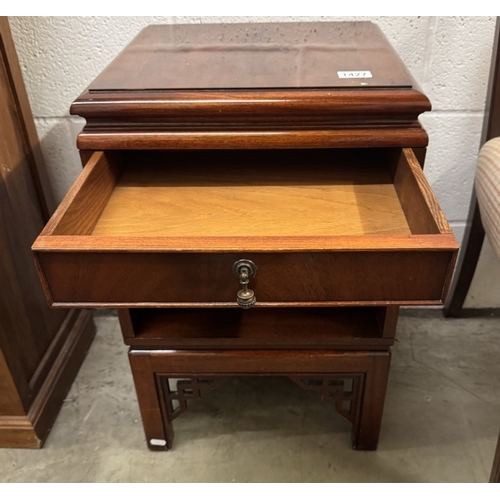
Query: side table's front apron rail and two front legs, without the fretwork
[{"x": 149, "y": 365}]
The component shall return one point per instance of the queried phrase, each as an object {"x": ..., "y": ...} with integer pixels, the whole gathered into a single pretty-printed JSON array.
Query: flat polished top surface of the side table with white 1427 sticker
[{"x": 256, "y": 56}]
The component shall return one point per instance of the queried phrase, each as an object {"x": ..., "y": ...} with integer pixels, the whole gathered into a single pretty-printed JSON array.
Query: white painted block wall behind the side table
[{"x": 449, "y": 57}]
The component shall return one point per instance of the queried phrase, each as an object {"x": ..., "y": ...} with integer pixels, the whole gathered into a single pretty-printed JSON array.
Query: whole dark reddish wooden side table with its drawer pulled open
[{"x": 268, "y": 166}]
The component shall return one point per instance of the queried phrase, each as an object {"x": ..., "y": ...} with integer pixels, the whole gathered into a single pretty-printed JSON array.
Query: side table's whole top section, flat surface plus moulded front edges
[{"x": 275, "y": 85}]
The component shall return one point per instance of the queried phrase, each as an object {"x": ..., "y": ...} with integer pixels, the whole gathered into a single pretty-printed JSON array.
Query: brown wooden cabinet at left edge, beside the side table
[{"x": 40, "y": 349}]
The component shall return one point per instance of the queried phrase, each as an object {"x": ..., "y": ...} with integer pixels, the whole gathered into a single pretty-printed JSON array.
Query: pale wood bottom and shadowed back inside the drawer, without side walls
[{"x": 298, "y": 193}]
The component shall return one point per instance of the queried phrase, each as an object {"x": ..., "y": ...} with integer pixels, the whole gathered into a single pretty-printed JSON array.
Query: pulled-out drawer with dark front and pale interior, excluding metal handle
[{"x": 324, "y": 227}]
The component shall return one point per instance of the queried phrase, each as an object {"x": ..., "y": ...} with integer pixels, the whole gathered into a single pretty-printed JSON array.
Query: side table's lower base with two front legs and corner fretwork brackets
[{"x": 361, "y": 401}]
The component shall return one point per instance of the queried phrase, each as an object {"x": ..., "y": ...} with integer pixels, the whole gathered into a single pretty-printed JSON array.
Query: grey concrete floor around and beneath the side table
[{"x": 441, "y": 420}]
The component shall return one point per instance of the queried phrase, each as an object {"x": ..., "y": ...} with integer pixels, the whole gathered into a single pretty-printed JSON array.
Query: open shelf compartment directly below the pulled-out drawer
[{"x": 291, "y": 328}]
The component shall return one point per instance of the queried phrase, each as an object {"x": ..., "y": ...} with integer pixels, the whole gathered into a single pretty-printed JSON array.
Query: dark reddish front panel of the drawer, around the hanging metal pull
[{"x": 156, "y": 279}]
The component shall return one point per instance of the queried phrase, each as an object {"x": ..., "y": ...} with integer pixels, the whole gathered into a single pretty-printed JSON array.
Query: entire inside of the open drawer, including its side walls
[{"x": 252, "y": 193}]
